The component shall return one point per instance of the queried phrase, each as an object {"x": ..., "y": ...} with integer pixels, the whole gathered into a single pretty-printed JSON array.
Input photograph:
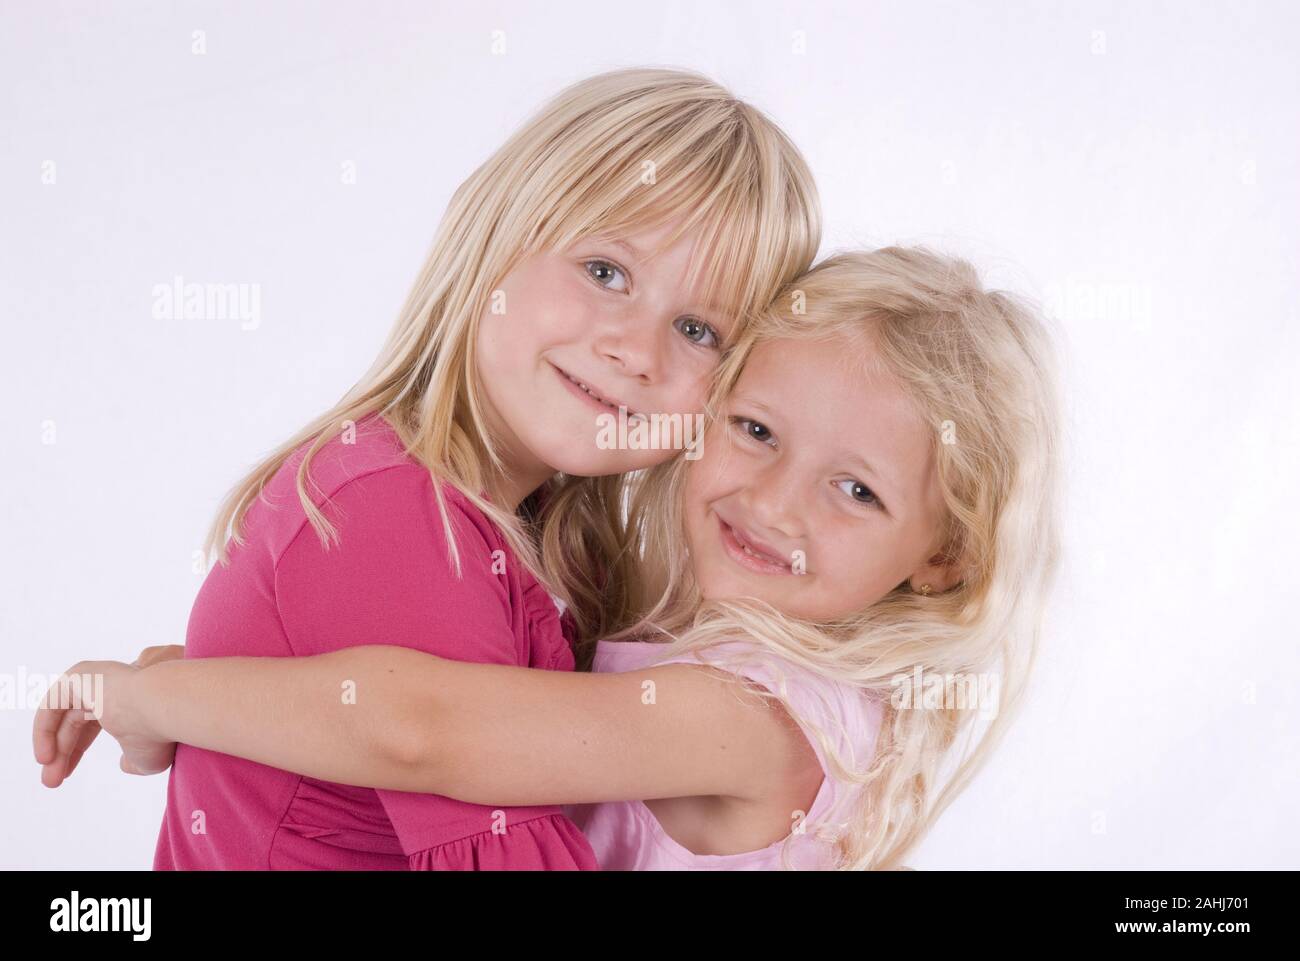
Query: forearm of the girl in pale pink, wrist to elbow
[{"x": 337, "y": 717}]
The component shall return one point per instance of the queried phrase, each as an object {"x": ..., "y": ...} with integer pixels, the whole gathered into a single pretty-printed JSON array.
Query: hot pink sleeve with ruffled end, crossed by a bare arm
[{"x": 389, "y": 581}]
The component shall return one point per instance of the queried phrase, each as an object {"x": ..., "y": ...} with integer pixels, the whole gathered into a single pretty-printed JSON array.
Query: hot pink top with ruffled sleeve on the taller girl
[{"x": 387, "y": 582}]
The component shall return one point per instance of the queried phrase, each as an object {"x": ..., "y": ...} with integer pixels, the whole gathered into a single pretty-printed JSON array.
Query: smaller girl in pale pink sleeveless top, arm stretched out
[{"x": 873, "y": 513}]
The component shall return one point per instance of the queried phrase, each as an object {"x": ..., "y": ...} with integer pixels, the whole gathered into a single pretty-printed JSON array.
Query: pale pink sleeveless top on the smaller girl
[{"x": 627, "y": 837}]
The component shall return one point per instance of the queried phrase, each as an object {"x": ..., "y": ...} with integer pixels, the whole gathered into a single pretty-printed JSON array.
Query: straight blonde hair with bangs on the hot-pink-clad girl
[{"x": 636, "y": 148}]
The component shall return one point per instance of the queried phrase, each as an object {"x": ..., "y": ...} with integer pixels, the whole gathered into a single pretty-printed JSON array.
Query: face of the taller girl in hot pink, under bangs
[{"x": 605, "y": 317}]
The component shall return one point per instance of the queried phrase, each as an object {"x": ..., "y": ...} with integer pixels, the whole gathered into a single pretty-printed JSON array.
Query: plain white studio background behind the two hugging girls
[{"x": 1132, "y": 165}]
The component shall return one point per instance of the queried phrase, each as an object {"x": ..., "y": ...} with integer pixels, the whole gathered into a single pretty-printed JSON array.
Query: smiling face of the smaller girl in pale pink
[{"x": 785, "y": 473}]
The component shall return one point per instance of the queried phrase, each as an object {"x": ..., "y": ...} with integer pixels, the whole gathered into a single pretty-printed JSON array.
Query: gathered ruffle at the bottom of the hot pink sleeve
[{"x": 549, "y": 843}]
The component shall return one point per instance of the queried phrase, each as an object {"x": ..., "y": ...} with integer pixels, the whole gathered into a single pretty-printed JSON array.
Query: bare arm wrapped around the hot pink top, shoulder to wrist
[{"x": 486, "y": 734}]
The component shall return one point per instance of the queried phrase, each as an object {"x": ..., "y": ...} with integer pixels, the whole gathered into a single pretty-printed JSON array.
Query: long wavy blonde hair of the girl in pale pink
[{"x": 981, "y": 369}]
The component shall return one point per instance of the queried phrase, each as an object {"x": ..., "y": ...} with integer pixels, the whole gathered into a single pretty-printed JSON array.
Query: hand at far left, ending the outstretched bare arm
[{"x": 90, "y": 698}]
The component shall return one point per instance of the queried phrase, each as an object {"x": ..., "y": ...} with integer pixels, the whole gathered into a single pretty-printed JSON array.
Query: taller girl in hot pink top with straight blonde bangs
[{"x": 569, "y": 284}]
